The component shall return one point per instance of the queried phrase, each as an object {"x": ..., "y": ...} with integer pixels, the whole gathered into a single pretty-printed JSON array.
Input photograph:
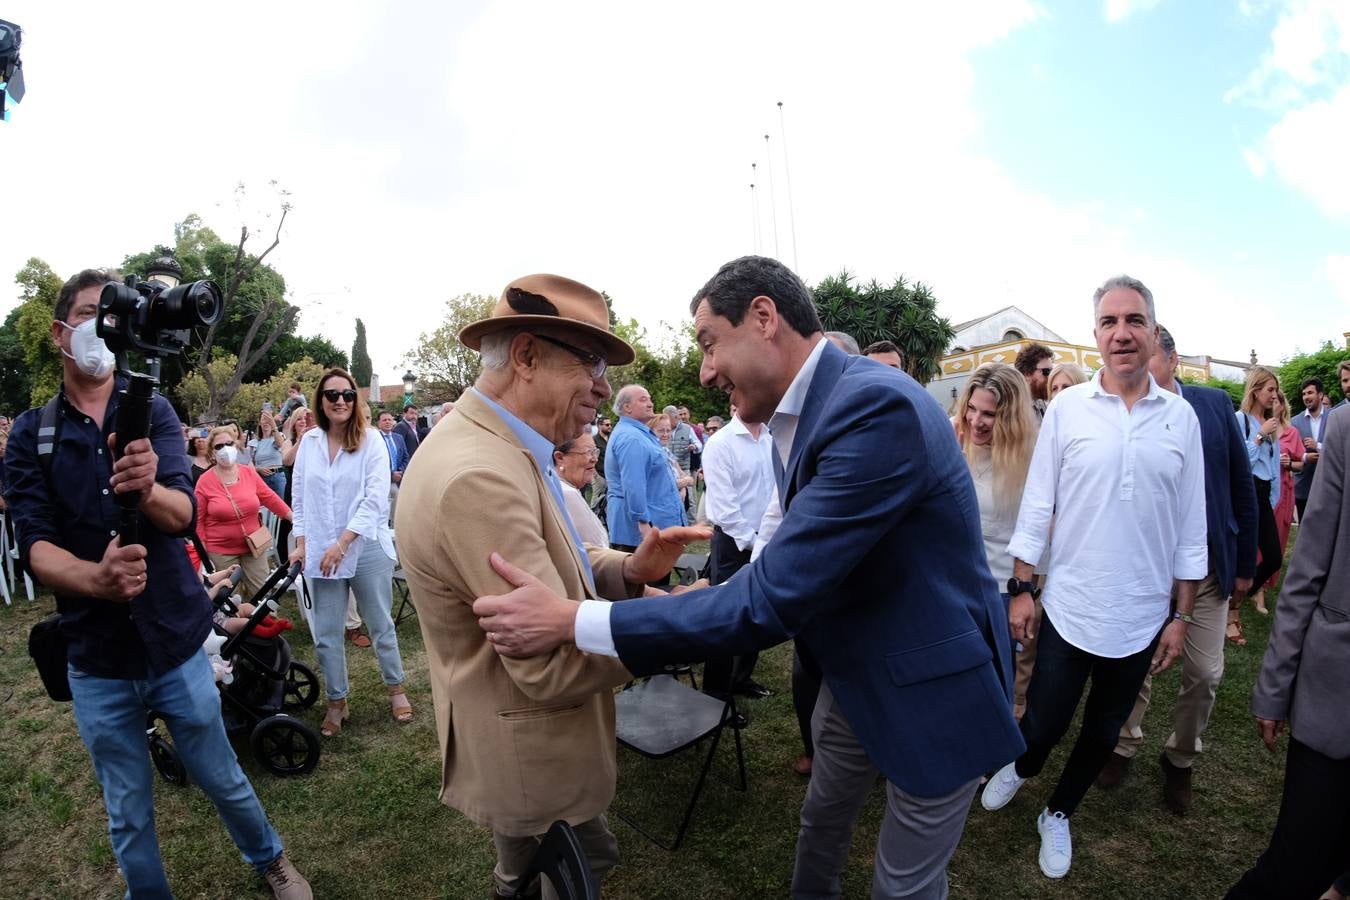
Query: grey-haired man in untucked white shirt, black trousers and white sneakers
[{"x": 1120, "y": 468}]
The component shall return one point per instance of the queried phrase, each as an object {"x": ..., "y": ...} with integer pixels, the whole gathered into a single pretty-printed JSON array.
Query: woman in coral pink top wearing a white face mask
[{"x": 229, "y": 500}]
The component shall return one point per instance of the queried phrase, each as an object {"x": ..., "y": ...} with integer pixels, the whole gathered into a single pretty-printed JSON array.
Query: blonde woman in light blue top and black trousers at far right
[{"x": 1260, "y": 426}]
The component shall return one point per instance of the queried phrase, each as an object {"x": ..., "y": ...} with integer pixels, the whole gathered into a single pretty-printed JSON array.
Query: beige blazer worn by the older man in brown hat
[{"x": 523, "y": 741}]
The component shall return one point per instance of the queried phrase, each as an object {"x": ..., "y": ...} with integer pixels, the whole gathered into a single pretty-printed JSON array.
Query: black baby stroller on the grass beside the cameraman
[{"x": 267, "y": 683}]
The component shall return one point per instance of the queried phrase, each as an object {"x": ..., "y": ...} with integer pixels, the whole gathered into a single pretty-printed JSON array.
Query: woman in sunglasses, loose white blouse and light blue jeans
[{"x": 341, "y": 505}]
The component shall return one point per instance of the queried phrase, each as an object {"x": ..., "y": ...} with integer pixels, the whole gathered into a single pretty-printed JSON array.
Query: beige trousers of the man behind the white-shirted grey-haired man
[{"x": 1202, "y": 667}]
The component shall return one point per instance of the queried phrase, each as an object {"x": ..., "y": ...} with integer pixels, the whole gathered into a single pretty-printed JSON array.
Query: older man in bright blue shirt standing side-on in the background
[{"x": 642, "y": 482}]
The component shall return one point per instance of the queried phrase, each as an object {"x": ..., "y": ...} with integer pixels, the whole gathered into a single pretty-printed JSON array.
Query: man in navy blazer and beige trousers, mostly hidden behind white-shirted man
[{"x": 1231, "y": 503}]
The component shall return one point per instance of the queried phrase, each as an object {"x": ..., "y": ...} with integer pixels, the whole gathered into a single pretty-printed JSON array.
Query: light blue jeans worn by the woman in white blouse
[{"x": 375, "y": 589}]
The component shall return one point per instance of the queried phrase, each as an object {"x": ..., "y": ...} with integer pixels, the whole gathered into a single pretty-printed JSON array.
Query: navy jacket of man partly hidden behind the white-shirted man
[{"x": 1231, "y": 499}]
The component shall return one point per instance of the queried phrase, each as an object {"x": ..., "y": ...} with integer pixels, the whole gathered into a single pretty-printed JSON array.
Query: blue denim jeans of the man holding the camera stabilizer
[{"x": 111, "y": 716}]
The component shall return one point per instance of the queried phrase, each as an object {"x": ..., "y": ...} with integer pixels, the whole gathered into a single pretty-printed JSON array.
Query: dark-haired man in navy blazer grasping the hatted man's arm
[{"x": 878, "y": 567}]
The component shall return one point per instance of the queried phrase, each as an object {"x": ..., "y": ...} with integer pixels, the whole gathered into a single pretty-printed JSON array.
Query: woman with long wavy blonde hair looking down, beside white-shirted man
[{"x": 997, "y": 428}]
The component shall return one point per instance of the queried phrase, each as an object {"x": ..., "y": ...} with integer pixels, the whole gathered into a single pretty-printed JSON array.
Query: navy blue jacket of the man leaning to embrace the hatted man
[{"x": 880, "y": 567}]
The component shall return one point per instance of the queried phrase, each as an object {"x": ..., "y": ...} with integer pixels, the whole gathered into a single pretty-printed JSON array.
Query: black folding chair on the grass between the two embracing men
[{"x": 662, "y": 717}]
